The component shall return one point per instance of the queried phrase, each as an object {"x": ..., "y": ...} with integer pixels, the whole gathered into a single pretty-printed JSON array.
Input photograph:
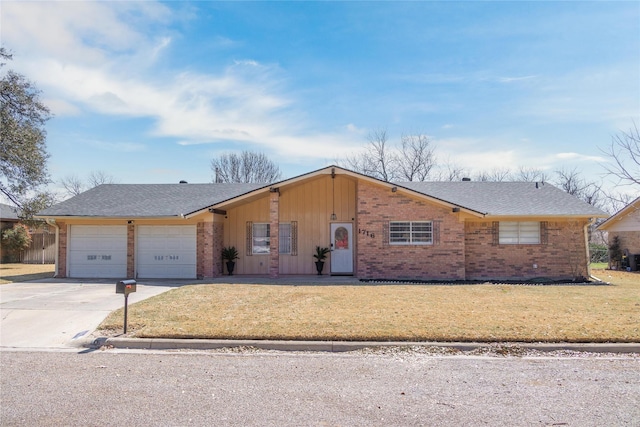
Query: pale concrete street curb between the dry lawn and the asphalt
[{"x": 345, "y": 346}]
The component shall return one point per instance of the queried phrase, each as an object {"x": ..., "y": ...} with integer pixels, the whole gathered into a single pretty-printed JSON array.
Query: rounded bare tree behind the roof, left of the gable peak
[{"x": 247, "y": 167}]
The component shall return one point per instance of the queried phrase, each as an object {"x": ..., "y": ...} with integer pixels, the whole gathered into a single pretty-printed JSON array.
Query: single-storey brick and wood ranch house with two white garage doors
[{"x": 376, "y": 229}]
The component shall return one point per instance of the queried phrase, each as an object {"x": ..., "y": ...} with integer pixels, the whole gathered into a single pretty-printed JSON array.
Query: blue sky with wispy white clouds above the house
[{"x": 150, "y": 92}]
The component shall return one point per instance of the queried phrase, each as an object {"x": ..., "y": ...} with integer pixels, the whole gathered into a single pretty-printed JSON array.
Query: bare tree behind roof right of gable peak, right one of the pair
[{"x": 416, "y": 158}]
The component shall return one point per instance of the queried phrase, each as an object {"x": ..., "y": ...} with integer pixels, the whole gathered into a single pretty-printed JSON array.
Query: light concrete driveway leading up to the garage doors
[{"x": 58, "y": 313}]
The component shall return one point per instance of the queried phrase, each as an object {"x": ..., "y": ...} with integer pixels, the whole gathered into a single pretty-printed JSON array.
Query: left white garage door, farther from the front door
[{"x": 98, "y": 251}]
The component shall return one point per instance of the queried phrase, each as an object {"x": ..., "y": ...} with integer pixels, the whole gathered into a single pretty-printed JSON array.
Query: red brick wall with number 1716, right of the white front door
[{"x": 376, "y": 259}]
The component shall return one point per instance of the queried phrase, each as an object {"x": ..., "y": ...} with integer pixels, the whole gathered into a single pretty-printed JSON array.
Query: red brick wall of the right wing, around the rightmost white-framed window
[{"x": 561, "y": 255}]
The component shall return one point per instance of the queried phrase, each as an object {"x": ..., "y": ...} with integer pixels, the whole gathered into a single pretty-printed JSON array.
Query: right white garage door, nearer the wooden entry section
[{"x": 166, "y": 252}]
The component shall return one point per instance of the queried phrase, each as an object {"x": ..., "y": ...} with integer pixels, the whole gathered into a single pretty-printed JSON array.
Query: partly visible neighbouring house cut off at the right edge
[{"x": 626, "y": 225}]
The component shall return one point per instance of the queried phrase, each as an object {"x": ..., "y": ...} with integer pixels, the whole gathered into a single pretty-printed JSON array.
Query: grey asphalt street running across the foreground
[{"x": 261, "y": 388}]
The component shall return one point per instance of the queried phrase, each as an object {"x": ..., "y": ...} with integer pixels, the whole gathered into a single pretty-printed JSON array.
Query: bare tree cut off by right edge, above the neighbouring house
[{"x": 625, "y": 153}]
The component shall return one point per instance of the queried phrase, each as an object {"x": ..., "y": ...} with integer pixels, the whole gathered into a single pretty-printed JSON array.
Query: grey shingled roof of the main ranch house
[{"x": 499, "y": 199}]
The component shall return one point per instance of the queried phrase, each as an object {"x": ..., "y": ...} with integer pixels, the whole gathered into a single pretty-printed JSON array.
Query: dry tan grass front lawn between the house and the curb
[{"x": 393, "y": 312}]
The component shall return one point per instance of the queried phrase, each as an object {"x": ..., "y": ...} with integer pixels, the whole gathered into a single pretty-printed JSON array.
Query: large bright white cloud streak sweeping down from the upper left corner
[{"x": 89, "y": 56}]
